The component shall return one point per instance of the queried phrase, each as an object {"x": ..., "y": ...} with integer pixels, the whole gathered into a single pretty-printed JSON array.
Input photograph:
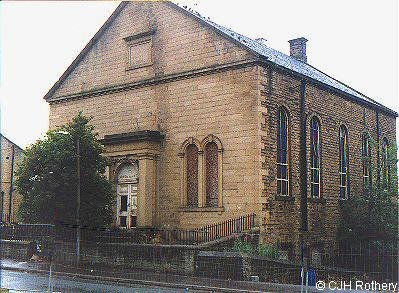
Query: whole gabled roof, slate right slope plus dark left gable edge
[{"x": 271, "y": 55}]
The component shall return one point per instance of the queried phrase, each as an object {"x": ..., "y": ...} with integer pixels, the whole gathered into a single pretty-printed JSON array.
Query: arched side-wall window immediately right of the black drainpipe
[{"x": 315, "y": 157}]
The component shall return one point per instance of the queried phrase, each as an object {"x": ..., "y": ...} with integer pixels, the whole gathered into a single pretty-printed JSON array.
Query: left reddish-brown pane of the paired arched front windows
[{"x": 192, "y": 175}]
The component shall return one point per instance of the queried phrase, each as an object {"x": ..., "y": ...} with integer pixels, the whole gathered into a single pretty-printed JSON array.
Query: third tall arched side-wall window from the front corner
[{"x": 343, "y": 163}]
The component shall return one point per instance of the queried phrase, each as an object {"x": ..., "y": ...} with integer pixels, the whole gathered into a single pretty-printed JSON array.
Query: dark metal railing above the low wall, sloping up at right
[{"x": 64, "y": 232}]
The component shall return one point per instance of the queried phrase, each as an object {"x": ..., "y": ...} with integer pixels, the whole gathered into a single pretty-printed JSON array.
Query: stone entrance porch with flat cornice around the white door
[{"x": 133, "y": 168}]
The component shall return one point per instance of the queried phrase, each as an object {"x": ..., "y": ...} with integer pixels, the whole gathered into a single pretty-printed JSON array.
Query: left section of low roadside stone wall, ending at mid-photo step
[{"x": 159, "y": 258}]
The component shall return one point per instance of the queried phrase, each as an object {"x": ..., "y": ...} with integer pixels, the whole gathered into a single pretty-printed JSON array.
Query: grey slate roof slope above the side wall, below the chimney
[{"x": 287, "y": 61}]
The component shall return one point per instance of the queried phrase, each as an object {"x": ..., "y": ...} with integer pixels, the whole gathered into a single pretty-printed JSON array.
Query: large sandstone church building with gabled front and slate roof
[{"x": 203, "y": 124}]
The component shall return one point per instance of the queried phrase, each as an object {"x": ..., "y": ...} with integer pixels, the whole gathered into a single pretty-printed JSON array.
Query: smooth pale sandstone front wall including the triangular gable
[{"x": 222, "y": 103}]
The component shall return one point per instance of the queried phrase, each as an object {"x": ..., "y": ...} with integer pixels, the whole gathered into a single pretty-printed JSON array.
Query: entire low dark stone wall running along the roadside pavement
[{"x": 187, "y": 260}]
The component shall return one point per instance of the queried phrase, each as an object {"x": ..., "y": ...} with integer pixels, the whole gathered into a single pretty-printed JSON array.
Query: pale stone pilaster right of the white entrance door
[{"x": 146, "y": 198}]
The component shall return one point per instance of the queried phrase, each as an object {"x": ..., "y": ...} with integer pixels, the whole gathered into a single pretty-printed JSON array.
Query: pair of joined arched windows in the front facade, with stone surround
[{"x": 202, "y": 172}]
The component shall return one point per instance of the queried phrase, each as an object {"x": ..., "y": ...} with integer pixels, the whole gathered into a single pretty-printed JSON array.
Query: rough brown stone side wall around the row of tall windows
[{"x": 281, "y": 216}]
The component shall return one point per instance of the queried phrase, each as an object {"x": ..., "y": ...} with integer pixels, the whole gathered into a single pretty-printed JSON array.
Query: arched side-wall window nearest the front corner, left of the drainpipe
[{"x": 282, "y": 154}]
